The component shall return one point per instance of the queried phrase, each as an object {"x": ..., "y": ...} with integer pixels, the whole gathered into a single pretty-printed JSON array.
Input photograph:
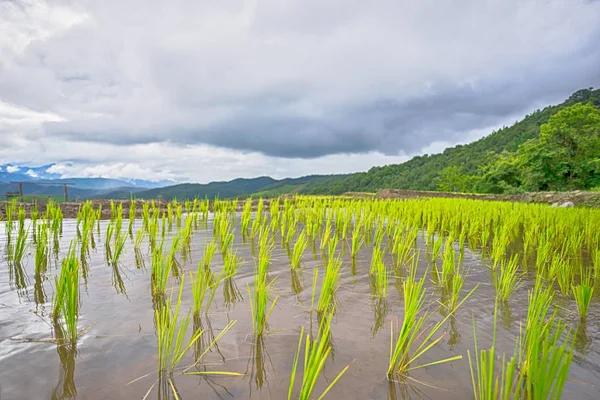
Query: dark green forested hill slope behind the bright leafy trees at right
[{"x": 425, "y": 172}]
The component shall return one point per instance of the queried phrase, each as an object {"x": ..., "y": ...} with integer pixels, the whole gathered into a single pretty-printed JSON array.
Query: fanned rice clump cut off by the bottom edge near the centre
[{"x": 316, "y": 352}]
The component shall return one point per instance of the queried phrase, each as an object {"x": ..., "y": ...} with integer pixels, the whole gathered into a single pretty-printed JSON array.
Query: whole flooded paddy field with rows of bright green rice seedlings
[{"x": 301, "y": 298}]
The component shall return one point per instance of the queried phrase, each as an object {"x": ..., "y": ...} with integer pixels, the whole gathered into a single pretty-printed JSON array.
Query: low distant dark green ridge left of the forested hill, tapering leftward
[{"x": 238, "y": 188}]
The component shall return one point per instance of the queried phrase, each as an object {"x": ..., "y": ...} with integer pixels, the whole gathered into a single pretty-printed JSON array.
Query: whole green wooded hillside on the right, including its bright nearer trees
[{"x": 471, "y": 167}]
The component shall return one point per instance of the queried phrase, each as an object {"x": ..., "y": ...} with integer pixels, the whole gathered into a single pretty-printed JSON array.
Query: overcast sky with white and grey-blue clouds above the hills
[{"x": 196, "y": 90}]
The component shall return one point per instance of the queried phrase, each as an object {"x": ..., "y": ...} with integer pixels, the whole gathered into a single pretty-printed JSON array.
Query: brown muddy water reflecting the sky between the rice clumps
[{"x": 116, "y": 356}]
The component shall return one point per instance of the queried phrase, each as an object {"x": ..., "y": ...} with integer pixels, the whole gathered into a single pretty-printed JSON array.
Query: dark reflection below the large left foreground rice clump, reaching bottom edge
[{"x": 67, "y": 350}]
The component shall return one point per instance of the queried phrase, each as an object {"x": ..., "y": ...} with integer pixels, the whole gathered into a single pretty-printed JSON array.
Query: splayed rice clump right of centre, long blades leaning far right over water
[{"x": 415, "y": 338}]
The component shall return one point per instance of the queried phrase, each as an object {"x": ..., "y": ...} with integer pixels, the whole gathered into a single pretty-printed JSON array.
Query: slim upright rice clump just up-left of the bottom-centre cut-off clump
[{"x": 260, "y": 295}]
